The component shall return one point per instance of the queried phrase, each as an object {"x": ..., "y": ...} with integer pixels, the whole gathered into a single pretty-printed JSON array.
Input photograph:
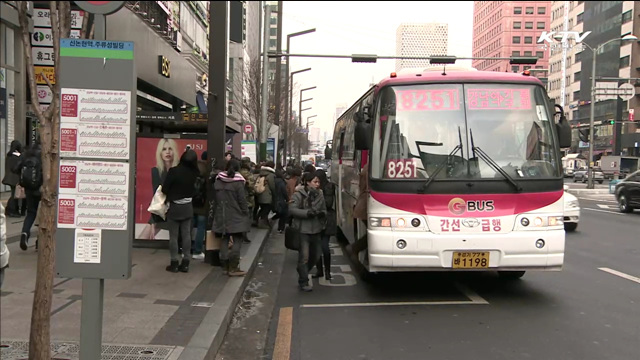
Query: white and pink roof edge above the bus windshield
[{"x": 459, "y": 76}]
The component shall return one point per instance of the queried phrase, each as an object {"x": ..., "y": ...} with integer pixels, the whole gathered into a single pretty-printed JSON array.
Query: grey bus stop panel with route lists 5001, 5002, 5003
[{"x": 95, "y": 203}]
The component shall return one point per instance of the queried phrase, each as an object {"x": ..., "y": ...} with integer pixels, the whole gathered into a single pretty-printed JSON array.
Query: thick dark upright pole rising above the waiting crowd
[{"x": 217, "y": 103}]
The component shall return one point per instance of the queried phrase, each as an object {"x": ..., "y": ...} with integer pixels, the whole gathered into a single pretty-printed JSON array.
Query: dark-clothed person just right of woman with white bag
[{"x": 200, "y": 209}]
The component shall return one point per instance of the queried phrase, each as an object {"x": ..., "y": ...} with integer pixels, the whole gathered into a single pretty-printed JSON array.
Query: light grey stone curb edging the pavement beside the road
[{"x": 207, "y": 339}]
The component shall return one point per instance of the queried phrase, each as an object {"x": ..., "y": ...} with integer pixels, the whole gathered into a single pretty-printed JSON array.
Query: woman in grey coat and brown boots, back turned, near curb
[{"x": 231, "y": 218}]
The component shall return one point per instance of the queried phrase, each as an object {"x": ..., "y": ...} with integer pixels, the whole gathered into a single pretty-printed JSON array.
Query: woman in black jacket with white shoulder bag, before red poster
[{"x": 179, "y": 187}]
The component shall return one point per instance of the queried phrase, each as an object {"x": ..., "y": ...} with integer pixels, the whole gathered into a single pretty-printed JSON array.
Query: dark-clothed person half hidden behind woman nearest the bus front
[{"x": 330, "y": 228}]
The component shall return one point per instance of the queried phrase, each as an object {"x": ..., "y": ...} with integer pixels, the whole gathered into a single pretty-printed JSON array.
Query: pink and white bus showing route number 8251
[{"x": 464, "y": 173}]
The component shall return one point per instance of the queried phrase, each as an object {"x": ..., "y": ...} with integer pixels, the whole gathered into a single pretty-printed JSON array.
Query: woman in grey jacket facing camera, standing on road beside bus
[{"x": 308, "y": 210}]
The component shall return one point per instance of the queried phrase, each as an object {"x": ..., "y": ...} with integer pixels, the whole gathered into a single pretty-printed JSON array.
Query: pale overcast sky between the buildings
[{"x": 350, "y": 27}]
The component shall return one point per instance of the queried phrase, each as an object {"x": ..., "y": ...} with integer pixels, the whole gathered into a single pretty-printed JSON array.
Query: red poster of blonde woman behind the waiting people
[{"x": 155, "y": 156}]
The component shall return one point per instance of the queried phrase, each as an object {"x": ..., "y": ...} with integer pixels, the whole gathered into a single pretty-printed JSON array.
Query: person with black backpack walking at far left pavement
[{"x": 29, "y": 168}]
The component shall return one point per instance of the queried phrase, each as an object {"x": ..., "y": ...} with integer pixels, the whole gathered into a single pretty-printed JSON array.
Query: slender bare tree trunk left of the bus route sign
[{"x": 49, "y": 131}]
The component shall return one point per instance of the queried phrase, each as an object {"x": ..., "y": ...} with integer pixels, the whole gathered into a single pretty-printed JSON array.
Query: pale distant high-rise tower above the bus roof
[{"x": 427, "y": 39}]
